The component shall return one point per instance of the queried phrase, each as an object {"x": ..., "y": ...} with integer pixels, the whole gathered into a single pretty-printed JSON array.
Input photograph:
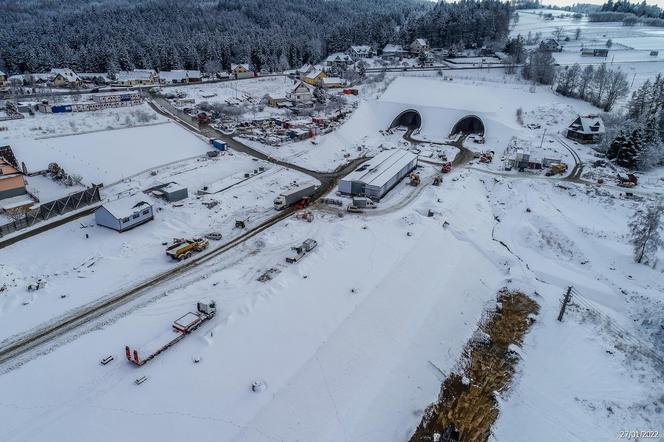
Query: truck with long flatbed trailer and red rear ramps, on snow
[{"x": 181, "y": 327}]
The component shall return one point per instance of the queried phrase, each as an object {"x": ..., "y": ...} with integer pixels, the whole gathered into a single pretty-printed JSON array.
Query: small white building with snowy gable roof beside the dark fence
[{"x": 124, "y": 214}]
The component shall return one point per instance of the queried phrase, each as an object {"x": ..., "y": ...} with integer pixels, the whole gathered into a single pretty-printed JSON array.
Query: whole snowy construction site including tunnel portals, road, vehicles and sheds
[{"x": 431, "y": 270}]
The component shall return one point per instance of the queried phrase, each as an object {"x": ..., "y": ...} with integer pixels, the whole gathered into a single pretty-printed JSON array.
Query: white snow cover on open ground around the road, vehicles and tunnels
[{"x": 350, "y": 341}]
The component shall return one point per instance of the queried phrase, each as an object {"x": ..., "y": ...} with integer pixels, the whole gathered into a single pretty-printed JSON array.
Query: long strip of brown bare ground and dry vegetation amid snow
[{"x": 467, "y": 406}]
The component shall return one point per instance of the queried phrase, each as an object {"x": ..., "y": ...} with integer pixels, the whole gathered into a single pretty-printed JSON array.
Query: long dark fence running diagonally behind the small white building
[{"x": 51, "y": 209}]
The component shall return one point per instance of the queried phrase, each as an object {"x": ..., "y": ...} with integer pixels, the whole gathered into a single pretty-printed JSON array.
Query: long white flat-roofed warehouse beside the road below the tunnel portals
[{"x": 381, "y": 173}]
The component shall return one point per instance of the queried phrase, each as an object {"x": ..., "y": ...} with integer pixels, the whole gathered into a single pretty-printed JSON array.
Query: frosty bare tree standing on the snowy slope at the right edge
[{"x": 645, "y": 233}]
